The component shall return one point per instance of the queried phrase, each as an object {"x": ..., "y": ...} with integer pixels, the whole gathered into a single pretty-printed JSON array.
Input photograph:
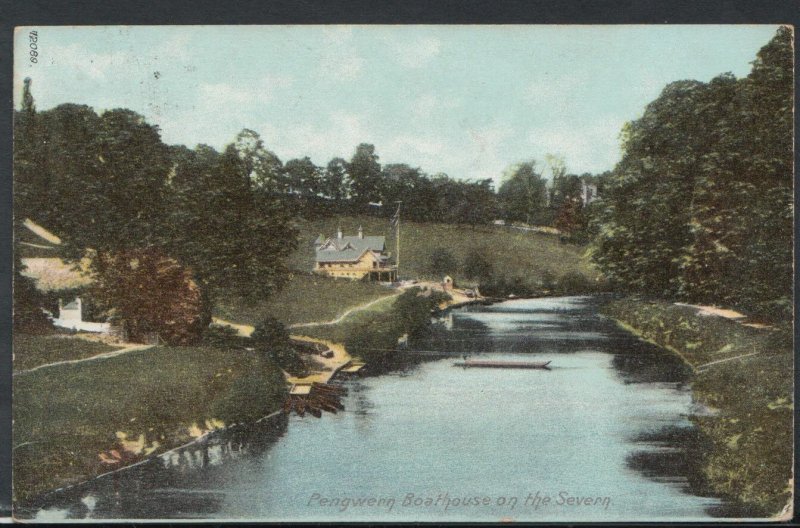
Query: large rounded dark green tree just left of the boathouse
[{"x": 233, "y": 236}]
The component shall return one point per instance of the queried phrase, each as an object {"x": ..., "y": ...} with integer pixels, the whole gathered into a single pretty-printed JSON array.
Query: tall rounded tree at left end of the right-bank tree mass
[{"x": 647, "y": 217}]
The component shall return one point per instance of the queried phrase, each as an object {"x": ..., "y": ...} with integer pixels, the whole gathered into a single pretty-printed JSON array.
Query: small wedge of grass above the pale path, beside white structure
[{"x": 34, "y": 350}]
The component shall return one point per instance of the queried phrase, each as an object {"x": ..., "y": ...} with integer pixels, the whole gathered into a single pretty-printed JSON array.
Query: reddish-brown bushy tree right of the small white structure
[{"x": 146, "y": 292}]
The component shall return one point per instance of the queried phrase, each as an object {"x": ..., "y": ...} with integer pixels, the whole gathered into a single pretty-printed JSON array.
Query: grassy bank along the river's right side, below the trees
[{"x": 745, "y": 374}]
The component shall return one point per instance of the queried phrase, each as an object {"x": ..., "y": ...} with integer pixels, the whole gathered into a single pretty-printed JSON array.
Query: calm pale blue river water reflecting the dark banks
[{"x": 603, "y": 435}]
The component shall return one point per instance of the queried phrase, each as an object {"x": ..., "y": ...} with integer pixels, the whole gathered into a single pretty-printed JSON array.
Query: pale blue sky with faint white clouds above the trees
[{"x": 464, "y": 100}]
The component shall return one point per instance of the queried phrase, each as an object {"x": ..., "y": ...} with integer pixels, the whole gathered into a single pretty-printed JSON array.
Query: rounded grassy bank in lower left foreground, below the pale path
[{"x": 66, "y": 416}]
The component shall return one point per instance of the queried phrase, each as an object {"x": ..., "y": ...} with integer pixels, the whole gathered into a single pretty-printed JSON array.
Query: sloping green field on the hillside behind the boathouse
[{"x": 531, "y": 256}]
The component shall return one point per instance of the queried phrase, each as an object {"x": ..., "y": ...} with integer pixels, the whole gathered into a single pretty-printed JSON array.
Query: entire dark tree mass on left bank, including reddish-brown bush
[{"x": 114, "y": 191}]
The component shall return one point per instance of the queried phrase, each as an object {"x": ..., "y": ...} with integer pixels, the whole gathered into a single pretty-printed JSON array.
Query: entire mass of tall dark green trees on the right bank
[{"x": 700, "y": 206}]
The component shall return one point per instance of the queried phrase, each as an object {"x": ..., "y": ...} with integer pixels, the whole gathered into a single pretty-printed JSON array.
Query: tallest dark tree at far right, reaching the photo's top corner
[{"x": 742, "y": 211}]
